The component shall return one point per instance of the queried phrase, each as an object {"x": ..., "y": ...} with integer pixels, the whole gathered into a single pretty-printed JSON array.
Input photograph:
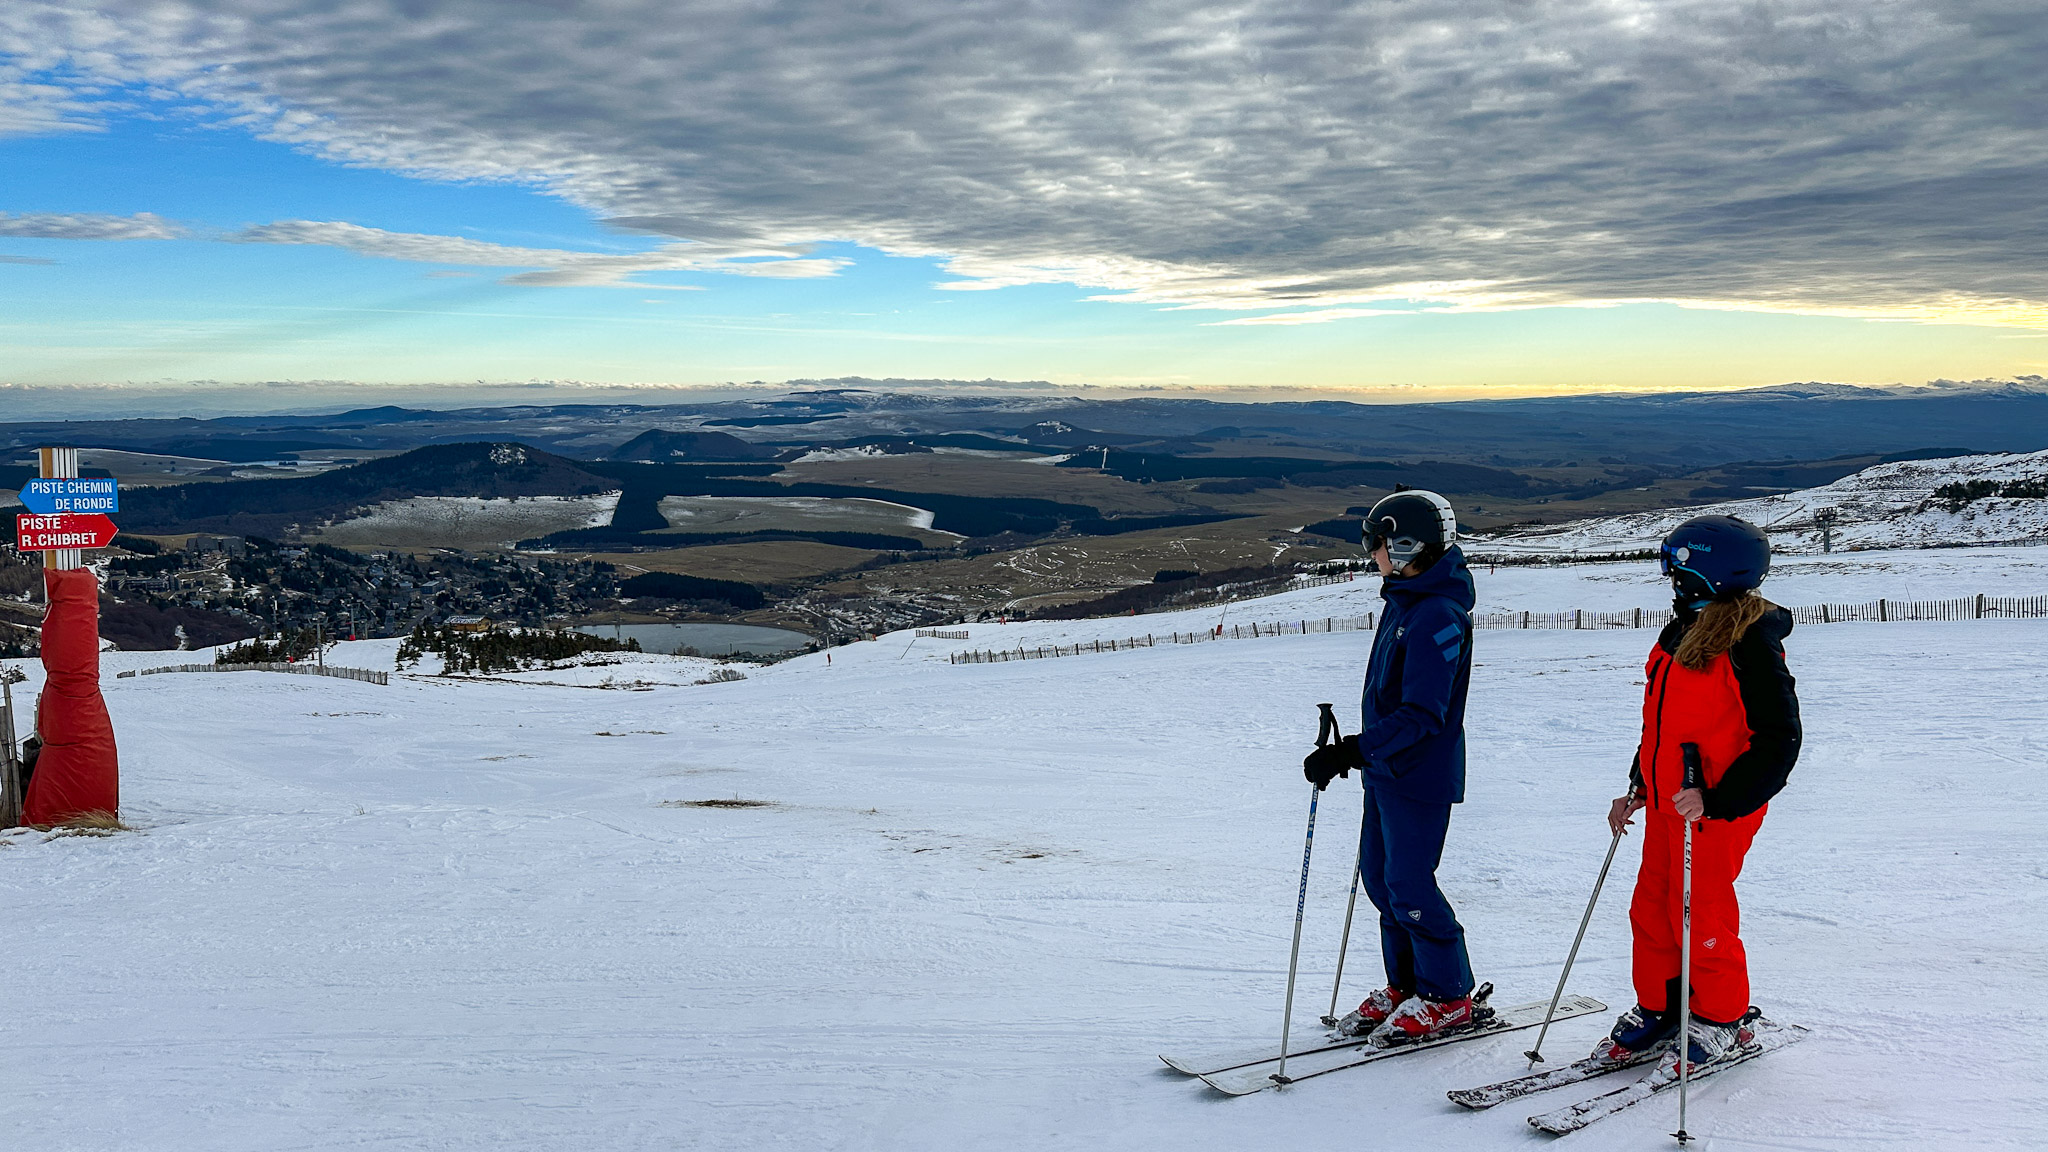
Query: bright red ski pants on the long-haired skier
[{"x": 1719, "y": 964}]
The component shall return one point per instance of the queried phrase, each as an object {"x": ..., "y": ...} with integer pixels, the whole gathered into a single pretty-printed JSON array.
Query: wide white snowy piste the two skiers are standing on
[{"x": 454, "y": 915}]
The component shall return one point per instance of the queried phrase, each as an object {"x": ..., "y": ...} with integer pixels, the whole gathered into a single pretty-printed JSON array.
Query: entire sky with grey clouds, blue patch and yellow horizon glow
[{"x": 1381, "y": 196}]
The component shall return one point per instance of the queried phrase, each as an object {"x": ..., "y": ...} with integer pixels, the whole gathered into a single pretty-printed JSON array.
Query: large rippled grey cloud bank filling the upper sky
[{"x": 1881, "y": 159}]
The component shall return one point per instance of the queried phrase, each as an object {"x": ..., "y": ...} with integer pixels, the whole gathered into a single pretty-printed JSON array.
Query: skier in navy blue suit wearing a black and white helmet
[{"x": 1412, "y": 753}]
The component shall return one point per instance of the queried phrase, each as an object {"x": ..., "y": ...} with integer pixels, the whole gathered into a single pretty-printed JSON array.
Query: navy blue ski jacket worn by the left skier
[{"x": 1412, "y": 729}]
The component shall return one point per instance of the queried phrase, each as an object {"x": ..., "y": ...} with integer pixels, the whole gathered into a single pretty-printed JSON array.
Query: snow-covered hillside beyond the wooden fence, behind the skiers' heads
[{"x": 1889, "y": 505}]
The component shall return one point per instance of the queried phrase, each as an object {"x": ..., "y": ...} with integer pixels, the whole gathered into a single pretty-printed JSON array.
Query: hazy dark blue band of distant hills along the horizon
[{"x": 1666, "y": 431}]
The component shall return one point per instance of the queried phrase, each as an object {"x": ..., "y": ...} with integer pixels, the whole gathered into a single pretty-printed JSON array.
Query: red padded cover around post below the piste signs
[{"x": 79, "y": 772}]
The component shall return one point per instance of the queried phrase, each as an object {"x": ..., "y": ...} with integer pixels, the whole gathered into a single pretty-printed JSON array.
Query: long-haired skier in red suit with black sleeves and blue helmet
[{"x": 1717, "y": 682}]
